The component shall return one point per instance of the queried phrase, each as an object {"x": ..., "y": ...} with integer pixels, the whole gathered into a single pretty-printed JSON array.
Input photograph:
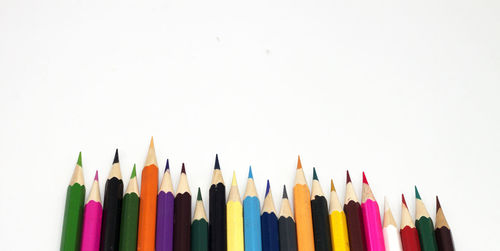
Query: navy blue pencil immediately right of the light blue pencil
[{"x": 269, "y": 223}]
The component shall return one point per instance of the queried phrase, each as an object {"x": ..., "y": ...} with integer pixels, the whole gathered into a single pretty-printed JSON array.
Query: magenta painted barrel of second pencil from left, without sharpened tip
[{"x": 91, "y": 230}]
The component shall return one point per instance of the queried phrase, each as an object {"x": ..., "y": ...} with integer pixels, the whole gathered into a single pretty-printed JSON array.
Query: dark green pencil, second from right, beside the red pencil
[{"x": 424, "y": 225}]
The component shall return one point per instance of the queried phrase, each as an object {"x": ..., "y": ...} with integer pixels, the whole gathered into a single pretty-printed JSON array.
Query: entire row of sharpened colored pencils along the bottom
[{"x": 161, "y": 219}]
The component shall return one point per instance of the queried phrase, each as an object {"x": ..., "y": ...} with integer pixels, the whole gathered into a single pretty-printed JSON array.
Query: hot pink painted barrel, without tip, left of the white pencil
[{"x": 373, "y": 226}]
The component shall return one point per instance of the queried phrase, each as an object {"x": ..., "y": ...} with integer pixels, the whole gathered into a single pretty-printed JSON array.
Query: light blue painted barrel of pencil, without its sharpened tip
[{"x": 251, "y": 221}]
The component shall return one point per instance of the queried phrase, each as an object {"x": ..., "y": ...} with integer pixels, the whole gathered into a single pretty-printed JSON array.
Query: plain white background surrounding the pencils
[{"x": 407, "y": 91}]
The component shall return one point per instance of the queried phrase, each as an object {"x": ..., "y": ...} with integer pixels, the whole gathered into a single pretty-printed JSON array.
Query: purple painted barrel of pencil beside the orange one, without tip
[{"x": 165, "y": 222}]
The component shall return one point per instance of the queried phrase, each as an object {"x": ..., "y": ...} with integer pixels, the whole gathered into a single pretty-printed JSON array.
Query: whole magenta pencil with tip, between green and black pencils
[{"x": 92, "y": 216}]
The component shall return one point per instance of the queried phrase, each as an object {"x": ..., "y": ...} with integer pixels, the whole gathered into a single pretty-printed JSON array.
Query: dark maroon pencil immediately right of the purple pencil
[{"x": 182, "y": 214}]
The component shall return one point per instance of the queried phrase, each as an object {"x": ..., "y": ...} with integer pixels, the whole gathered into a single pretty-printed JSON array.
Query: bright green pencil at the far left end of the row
[{"x": 73, "y": 210}]
